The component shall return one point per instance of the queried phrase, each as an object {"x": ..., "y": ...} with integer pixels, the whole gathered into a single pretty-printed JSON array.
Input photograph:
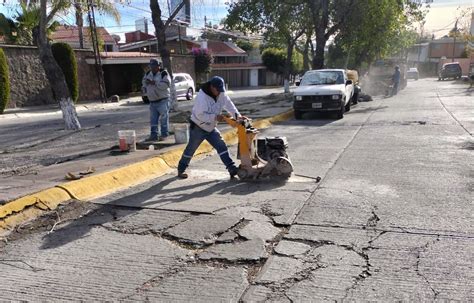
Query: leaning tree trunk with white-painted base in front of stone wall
[{"x": 55, "y": 75}]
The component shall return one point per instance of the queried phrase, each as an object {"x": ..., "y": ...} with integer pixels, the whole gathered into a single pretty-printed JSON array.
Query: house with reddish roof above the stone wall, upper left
[{"x": 70, "y": 35}]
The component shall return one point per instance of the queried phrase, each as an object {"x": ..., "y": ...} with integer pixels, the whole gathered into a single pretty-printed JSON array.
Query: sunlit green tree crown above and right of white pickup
[{"x": 375, "y": 29}]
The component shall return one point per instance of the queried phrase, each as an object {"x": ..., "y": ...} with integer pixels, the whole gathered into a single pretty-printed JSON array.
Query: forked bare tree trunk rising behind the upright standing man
[{"x": 160, "y": 28}]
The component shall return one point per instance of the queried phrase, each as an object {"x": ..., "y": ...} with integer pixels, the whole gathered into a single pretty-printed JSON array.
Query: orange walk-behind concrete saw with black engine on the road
[{"x": 260, "y": 157}]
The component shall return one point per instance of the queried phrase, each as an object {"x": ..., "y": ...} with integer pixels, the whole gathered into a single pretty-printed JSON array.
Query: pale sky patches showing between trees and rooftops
[{"x": 439, "y": 19}]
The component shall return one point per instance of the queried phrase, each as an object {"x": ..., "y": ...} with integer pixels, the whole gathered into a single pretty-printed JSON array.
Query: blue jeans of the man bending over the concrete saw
[{"x": 196, "y": 136}]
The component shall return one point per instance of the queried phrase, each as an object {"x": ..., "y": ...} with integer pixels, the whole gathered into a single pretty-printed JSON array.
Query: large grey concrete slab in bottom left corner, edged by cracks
[{"x": 111, "y": 264}]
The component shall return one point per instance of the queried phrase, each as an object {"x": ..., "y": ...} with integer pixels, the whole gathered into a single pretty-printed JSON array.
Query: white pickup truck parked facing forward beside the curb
[{"x": 323, "y": 90}]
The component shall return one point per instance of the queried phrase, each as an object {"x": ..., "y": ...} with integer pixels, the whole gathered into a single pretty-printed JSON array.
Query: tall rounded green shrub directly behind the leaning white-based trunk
[{"x": 66, "y": 59}]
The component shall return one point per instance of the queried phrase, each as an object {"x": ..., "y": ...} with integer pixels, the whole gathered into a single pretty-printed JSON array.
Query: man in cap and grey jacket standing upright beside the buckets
[{"x": 156, "y": 84}]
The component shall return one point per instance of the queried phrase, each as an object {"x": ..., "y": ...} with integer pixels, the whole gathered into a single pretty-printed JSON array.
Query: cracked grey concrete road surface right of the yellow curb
[{"x": 391, "y": 220}]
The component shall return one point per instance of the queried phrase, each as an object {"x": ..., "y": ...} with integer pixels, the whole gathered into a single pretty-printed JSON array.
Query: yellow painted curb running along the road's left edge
[{"x": 29, "y": 207}]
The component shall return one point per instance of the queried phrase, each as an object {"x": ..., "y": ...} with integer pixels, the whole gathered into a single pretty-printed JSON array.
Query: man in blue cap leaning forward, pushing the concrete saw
[{"x": 207, "y": 111}]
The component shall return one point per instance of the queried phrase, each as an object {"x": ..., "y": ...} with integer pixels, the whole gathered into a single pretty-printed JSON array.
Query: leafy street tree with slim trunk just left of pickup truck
[{"x": 281, "y": 22}]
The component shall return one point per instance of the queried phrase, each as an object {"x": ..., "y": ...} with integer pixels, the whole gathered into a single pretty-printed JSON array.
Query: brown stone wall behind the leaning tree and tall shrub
[{"x": 29, "y": 85}]
